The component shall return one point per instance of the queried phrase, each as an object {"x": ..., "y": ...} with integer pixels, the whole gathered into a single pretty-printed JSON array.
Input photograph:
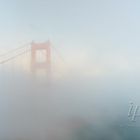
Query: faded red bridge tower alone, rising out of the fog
[{"x": 45, "y": 50}]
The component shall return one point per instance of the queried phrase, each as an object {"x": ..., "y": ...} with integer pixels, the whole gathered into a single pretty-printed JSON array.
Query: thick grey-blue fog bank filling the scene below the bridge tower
[{"x": 73, "y": 107}]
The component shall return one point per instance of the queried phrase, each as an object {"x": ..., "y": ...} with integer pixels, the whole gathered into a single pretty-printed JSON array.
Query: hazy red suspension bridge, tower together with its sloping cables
[{"x": 40, "y": 55}]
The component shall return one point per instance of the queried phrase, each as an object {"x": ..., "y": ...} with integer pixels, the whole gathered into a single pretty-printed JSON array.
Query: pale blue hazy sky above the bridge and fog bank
[{"x": 107, "y": 31}]
